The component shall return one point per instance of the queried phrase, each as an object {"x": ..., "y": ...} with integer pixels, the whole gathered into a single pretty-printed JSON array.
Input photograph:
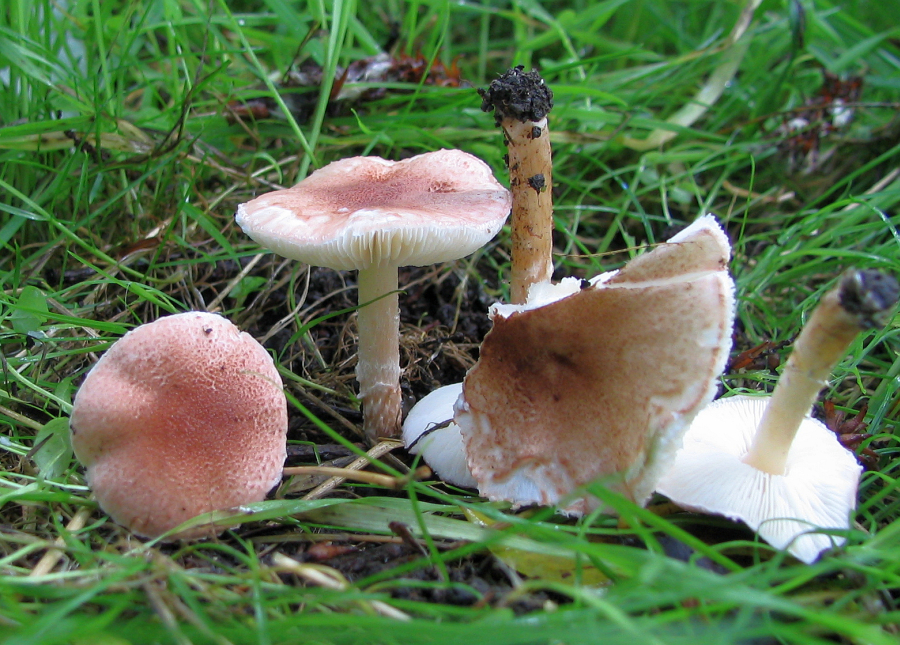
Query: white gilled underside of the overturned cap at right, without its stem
[{"x": 818, "y": 488}]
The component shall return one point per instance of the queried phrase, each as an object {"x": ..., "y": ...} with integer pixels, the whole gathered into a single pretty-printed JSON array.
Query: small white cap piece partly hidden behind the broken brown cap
[{"x": 442, "y": 445}]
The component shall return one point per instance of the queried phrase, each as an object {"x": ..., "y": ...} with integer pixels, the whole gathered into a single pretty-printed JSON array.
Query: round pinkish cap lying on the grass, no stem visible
[{"x": 179, "y": 417}]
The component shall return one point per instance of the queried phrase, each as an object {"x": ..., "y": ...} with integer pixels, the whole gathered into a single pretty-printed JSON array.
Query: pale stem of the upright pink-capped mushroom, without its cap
[{"x": 378, "y": 366}]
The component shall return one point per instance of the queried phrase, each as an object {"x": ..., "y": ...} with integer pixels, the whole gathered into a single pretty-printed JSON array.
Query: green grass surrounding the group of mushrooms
[{"x": 119, "y": 177}]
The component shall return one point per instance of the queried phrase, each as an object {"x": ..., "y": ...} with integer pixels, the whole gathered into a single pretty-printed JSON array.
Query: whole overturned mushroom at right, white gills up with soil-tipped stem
[{"x": 764, "y": 460}]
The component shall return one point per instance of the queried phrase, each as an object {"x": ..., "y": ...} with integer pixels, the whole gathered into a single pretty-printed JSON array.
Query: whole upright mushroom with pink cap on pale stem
[{"x": 374, "y": 215}]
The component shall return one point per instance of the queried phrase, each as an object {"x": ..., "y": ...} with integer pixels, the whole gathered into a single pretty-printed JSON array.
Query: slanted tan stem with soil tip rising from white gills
[{"x": 860, "y": 298}]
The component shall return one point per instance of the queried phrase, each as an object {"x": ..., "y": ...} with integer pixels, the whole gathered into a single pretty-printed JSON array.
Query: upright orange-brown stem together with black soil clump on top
[{"x": 521, "y": 102}]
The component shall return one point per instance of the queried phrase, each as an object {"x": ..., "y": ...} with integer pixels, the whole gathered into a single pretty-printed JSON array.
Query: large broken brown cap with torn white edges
[{"x": 601, "y": 383}]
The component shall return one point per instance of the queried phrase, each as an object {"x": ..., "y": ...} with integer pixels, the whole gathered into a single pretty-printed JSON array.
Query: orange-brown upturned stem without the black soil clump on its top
[{"x": 530, "y": 183}]
